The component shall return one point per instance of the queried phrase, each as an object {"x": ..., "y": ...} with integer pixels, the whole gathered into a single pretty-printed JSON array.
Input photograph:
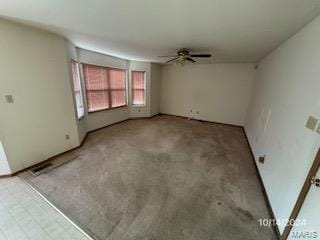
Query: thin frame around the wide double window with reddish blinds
[{"x": 108, "y": 90}]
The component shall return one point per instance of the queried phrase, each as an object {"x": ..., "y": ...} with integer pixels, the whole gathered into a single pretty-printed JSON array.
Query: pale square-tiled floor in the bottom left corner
[{"x": 26, "y": 215}]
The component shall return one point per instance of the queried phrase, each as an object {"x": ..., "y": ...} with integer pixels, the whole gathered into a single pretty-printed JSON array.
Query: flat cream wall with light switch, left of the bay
[{"x": 34, "y": 71}]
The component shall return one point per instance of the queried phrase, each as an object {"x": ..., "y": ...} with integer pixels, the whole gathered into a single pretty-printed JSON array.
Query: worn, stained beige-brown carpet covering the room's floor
[{"x": 164, "y": 178}]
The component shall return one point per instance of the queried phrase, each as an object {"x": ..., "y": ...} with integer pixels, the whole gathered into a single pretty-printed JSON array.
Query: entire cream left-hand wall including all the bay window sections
[{"x": 36, "y": 70}]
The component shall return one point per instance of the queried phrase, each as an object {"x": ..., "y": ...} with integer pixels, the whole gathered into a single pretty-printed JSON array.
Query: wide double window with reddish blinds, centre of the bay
[{"x": 105, "y": 87}]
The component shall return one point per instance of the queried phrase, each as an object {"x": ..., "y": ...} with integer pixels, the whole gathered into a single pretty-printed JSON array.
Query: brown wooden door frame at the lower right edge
[{"x": 302, "y": 195}]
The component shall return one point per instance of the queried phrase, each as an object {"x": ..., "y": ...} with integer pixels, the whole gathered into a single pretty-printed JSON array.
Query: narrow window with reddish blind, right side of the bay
[{"x": 138, "y": 88}]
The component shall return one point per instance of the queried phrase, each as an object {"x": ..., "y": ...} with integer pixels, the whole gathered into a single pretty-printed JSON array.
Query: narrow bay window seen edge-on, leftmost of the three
[{"x": 77, "y": 88}]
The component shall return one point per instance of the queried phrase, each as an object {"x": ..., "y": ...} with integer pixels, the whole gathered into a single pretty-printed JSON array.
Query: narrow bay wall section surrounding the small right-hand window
[{"x": 140, "y": 111}]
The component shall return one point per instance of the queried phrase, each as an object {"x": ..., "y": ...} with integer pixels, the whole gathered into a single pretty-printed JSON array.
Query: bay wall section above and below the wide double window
[{"x": 100, "y": 119}]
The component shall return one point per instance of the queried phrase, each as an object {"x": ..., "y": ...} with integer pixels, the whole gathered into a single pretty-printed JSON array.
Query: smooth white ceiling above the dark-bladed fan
[{"x": 232, "y": 30}]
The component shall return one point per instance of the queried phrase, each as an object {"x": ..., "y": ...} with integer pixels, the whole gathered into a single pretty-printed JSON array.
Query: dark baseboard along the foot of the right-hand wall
[{"x": 267, "y": 200}]
